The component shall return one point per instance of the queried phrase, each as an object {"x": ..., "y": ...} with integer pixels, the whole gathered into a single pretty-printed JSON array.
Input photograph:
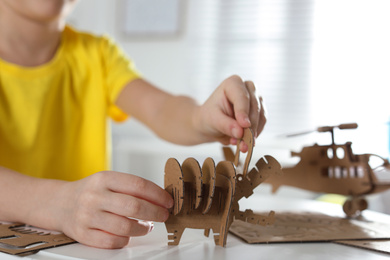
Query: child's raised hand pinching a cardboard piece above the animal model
[{"x": 232, "y": 107}]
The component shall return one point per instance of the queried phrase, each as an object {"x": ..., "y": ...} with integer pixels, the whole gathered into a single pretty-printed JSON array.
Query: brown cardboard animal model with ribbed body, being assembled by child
[{"x": 207, "y": 197}]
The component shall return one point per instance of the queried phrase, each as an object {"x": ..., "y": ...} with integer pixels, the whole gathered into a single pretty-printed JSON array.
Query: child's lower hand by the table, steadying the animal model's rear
[{"x": 101, "y": 210}]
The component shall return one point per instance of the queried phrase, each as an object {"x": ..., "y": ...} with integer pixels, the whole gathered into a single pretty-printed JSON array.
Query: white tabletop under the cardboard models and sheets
[{"x": 194, "y": 245}]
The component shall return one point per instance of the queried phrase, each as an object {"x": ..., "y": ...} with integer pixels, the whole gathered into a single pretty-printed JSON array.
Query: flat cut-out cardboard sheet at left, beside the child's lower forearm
[{"x": 19, "y": 239}]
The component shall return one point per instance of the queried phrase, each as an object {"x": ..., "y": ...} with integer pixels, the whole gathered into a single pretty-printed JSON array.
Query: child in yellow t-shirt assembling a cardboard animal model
[{"x": 57, "y": 87}]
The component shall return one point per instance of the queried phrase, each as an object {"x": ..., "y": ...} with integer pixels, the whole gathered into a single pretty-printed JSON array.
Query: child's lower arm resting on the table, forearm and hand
[{"x": 93, "y": 211}]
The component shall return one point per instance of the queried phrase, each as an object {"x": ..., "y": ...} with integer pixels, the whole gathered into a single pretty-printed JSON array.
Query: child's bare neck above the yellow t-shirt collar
[{"x": 28, "y": 43}]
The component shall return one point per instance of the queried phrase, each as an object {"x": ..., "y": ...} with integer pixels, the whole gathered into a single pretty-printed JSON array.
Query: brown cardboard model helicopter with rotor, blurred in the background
[{"x": 335, "y": 169}]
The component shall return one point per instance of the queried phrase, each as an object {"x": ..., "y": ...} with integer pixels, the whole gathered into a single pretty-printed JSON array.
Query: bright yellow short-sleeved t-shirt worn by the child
[{"x": 54, "y": 117}]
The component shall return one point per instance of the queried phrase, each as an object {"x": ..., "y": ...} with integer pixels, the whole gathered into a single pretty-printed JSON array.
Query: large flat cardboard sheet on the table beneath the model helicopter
[{"x": 310, "y": 227}]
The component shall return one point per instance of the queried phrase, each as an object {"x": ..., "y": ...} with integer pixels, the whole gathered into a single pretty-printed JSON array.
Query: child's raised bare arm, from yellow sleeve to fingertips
[{"x": 179, "y": 119}]
